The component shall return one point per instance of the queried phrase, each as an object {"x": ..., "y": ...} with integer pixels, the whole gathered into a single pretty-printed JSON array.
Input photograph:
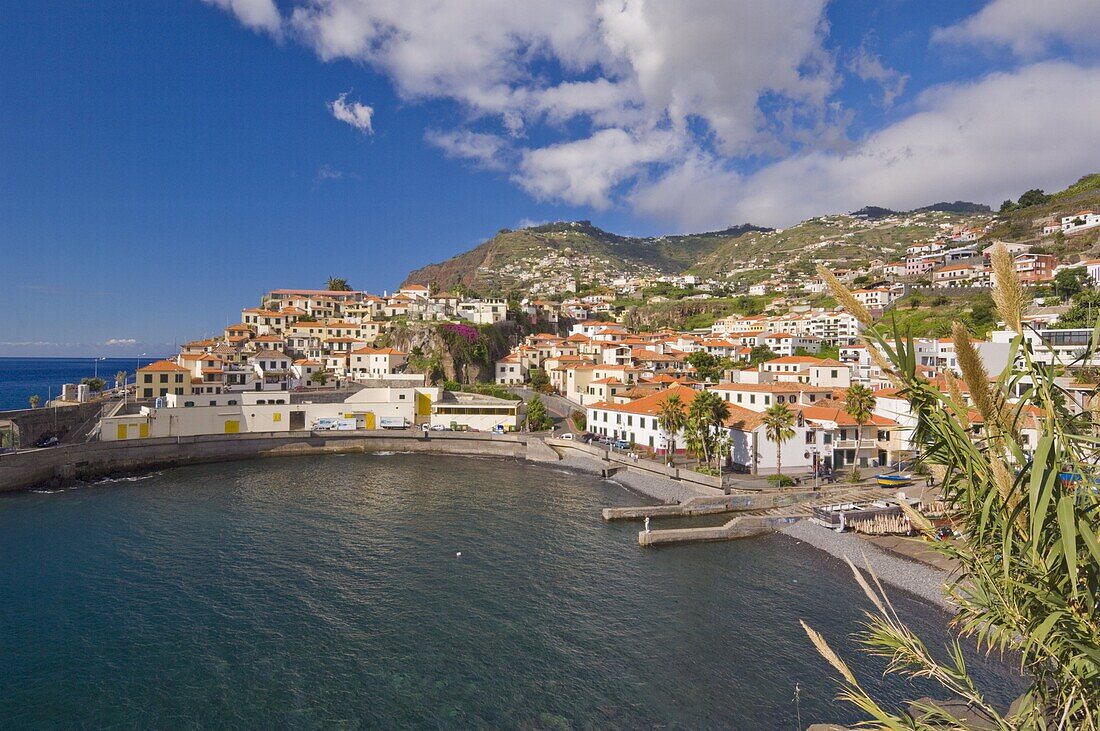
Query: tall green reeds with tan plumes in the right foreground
[{"x": 1029, "y": 567}]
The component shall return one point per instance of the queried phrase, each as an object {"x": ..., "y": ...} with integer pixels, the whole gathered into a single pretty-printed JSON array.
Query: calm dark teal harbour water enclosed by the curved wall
[{"x": 326, "y": 593}]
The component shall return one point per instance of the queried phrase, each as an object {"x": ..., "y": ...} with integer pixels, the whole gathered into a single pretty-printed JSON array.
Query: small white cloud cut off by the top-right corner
[{"x": 1029, "y": 27}]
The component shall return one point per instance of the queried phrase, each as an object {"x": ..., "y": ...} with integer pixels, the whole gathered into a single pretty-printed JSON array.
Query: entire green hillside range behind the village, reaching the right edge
[{"x": 556, "y": 258}]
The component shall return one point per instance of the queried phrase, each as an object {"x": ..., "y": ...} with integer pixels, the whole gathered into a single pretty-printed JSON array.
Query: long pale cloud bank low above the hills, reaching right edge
[{"x": 985, "y": 141}]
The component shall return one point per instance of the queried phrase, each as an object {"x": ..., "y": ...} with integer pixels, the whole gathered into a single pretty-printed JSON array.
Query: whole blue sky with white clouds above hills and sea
[{"x": 164, "y": 163}]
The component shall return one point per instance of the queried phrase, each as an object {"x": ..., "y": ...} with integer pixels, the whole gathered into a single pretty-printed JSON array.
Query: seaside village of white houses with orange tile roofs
[{"x": 311, "y": 360}]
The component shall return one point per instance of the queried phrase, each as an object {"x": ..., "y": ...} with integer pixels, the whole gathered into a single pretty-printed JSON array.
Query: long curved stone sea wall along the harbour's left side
[{"x": 23, "y": 470}]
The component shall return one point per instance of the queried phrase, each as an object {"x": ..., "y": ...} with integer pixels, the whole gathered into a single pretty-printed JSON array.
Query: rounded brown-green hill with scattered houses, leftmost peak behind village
[{"x": 549, "y": 259}]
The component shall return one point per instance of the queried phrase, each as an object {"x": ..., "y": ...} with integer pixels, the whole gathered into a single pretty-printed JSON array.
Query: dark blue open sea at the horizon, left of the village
[{"x": 20, "y": 379}]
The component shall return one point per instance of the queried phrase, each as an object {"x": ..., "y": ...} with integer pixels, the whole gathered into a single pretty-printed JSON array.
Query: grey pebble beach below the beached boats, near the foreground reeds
[{"x": 920, "y": 580}]
